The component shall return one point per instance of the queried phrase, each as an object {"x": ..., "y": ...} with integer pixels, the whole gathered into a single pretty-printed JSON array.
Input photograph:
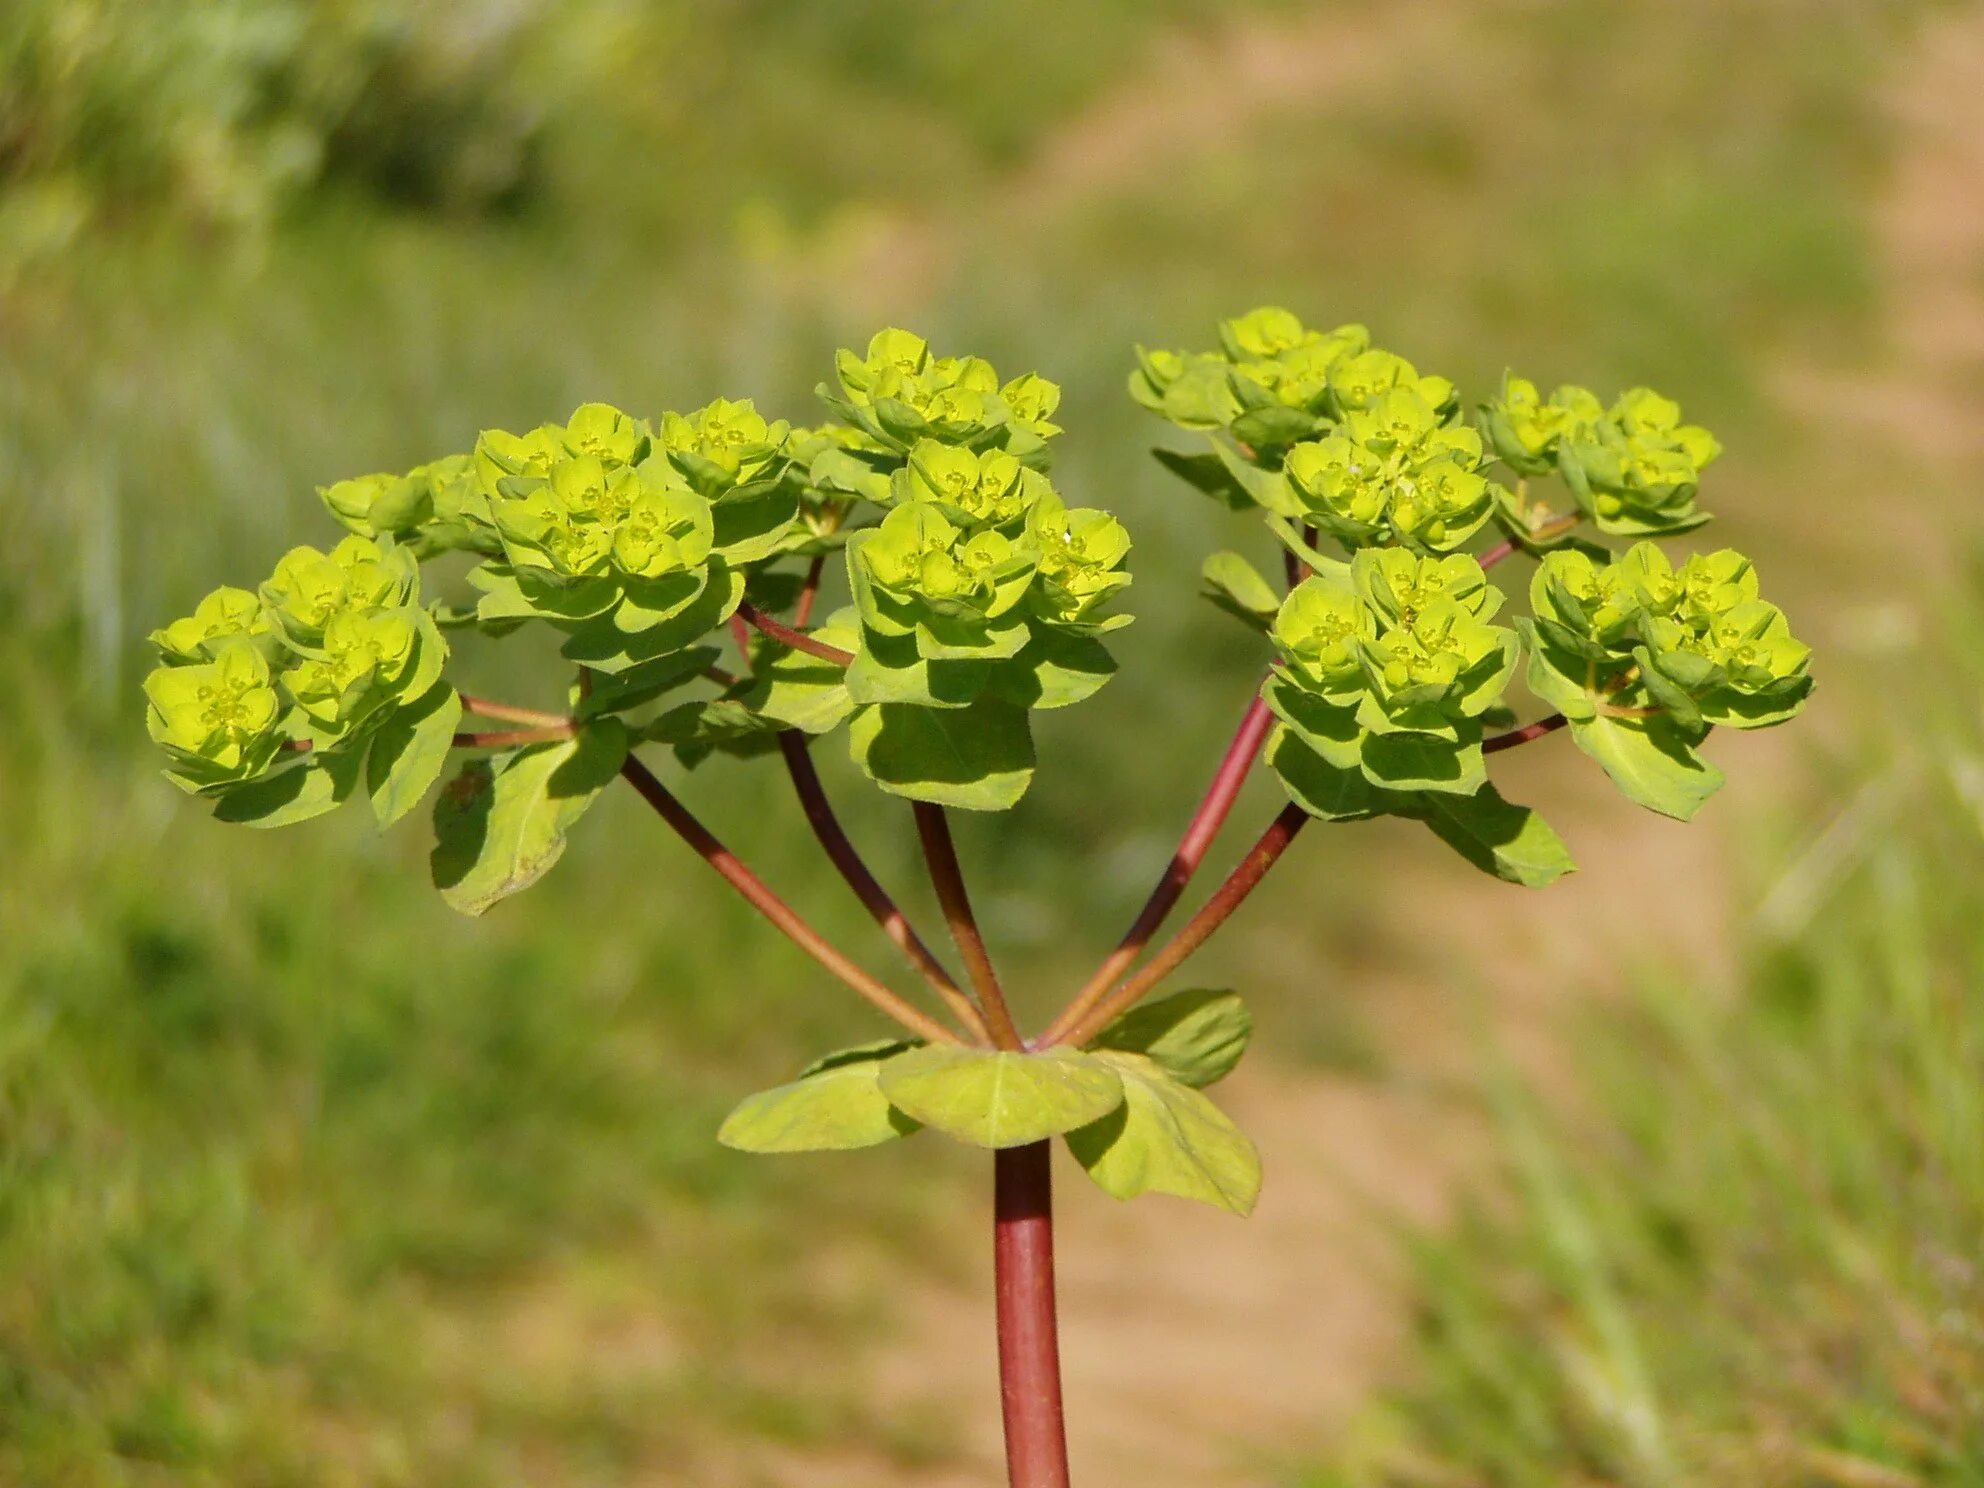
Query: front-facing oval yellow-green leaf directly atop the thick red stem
[{"x": 997, "y": 1098}]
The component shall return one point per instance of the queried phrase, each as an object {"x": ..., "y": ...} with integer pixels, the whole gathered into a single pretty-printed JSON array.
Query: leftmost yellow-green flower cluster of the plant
[{"x": 320, "y": 658}]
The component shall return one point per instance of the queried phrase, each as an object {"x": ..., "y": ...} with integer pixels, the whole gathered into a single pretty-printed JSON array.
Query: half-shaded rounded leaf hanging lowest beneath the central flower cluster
[{"x": 979, "y": 757}]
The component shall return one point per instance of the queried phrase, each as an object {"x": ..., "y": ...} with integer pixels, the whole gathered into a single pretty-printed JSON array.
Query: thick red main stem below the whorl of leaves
[{"x": 1029, "y": 1340}]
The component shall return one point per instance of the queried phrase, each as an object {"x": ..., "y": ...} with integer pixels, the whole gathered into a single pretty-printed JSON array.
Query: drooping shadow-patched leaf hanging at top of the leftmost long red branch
[{"x": 501, "y": 824}]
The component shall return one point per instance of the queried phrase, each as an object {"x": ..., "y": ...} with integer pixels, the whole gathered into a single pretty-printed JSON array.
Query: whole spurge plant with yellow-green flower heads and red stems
[{"x": 977, "y": 594}]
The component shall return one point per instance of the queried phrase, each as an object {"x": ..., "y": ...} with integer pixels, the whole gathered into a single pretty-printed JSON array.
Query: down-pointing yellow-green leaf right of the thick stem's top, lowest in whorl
[{"x": 1170, "y": 1140}]
